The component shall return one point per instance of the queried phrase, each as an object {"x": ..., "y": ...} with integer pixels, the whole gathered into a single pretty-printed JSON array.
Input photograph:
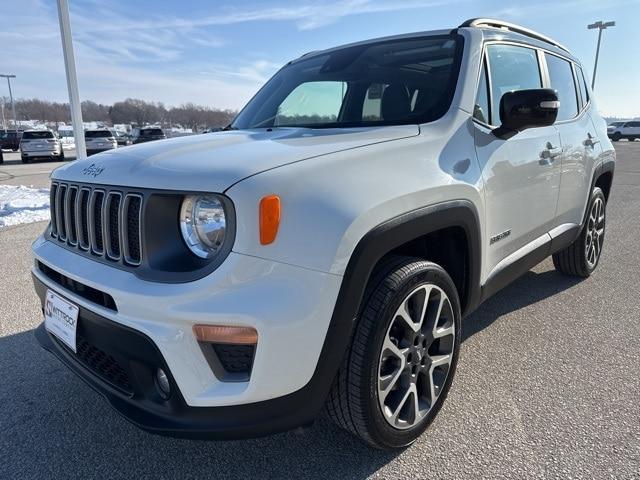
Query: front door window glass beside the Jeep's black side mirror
[{"x": 511, "y": 68}]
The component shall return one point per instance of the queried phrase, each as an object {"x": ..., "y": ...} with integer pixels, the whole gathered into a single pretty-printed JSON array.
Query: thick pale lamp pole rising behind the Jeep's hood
[{"x": 72, "y": 78}]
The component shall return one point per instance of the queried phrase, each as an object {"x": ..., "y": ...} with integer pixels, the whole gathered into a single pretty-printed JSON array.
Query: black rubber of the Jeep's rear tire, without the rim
[{"x": 573, "y": 260}]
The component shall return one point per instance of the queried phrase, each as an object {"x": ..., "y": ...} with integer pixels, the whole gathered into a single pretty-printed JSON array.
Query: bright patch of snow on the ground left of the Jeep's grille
[{"x": 20, "y": 204}]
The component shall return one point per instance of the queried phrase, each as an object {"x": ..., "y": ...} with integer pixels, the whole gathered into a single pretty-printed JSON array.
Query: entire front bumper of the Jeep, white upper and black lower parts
[{"x": 290, "y": 307}]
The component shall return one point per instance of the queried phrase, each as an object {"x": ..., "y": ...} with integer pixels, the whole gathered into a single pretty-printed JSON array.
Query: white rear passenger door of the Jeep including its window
[{"x": 580, "y": 145}]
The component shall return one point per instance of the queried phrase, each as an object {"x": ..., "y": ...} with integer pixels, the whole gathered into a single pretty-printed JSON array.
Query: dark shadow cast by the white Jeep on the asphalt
[{"x": 53, "y": 425}]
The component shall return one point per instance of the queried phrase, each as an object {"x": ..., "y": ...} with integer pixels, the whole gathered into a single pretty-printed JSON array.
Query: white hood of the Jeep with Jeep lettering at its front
[{"x": 213, "y": 162}]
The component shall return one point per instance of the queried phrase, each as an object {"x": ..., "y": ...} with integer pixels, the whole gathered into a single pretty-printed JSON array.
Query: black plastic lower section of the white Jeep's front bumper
[{"x": 130, "y": 360}]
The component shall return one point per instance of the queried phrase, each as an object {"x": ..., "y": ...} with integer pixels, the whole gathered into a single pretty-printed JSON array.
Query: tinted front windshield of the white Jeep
[{"x": 385, "y": 83}]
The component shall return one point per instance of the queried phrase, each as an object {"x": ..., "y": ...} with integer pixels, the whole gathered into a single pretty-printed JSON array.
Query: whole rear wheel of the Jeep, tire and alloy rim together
[{"x": 581, "y": 258}]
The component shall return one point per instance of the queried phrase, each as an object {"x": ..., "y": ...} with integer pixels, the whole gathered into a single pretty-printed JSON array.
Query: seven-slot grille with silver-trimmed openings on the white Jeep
[{"x": 103, "y": 221}]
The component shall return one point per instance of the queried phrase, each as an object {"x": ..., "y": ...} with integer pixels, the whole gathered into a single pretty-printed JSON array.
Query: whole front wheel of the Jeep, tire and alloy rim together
[{"x": 403, "y": 356}]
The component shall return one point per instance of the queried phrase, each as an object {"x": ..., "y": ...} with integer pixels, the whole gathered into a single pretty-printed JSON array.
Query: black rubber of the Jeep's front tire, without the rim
[{"x": 353, "y": 403}]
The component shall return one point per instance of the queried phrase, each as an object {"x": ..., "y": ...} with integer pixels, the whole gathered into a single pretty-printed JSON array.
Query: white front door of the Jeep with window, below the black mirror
[{"x": 521, "y": 174}]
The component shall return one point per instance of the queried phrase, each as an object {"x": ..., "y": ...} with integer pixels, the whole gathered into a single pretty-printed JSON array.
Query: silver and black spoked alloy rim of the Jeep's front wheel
[{"x": 416, "y": 356}]
